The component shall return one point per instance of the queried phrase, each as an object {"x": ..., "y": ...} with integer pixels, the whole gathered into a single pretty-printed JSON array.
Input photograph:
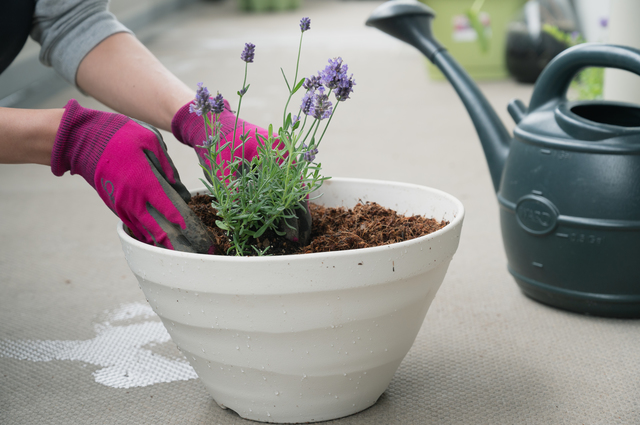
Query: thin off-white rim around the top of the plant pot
[{"x": 453, "y": 224}]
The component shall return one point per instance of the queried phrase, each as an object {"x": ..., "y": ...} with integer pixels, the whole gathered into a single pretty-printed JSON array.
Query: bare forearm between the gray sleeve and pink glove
[{"x": 122, "y": 74}]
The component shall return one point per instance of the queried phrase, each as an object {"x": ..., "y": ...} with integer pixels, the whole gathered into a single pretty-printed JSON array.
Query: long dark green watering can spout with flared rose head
[{"x": 410, "y": 21}]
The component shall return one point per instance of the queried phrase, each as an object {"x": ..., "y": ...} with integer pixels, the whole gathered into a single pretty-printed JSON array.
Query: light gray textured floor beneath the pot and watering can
[{"x": 79, "y": 345}]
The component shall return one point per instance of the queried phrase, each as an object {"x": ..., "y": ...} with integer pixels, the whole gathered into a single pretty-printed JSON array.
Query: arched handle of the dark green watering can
[{"x": 556, "y": 77}]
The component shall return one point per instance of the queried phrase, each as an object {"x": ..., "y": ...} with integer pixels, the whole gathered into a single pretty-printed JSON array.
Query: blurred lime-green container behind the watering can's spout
[{"x": 452, "y": 28}]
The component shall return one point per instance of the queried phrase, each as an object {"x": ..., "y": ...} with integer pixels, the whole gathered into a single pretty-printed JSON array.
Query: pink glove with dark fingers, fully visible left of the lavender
[{"x": 126, "y": 162}]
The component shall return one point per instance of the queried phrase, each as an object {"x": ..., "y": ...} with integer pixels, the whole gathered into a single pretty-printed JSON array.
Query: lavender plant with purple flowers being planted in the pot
[{"x": 270, "y": 191}]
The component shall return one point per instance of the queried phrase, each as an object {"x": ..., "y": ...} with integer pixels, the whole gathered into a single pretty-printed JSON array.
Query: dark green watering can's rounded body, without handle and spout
[{"x": 570, "y": 211}]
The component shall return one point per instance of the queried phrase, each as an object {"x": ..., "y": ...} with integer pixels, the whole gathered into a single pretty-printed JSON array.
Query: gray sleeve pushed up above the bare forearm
[{"x": 68, "y": 29}]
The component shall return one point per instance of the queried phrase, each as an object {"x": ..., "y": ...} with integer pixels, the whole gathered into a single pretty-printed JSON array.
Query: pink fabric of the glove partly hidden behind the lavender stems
[{"x": 188, "y": 128}]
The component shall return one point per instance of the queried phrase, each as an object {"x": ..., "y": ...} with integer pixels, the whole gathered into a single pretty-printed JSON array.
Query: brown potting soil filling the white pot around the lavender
[{"x": 334, "y": 229}]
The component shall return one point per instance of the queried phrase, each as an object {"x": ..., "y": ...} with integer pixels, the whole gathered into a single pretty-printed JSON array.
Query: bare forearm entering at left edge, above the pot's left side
[{"x": 28, "y": 135}]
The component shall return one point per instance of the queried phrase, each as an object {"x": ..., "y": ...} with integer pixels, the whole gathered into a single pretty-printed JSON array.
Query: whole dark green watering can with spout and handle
[{"x": 568, "y": 181}]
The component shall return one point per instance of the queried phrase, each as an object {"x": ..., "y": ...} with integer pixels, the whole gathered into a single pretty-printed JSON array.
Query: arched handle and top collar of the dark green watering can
[{"x": 576, "y": 125}]
